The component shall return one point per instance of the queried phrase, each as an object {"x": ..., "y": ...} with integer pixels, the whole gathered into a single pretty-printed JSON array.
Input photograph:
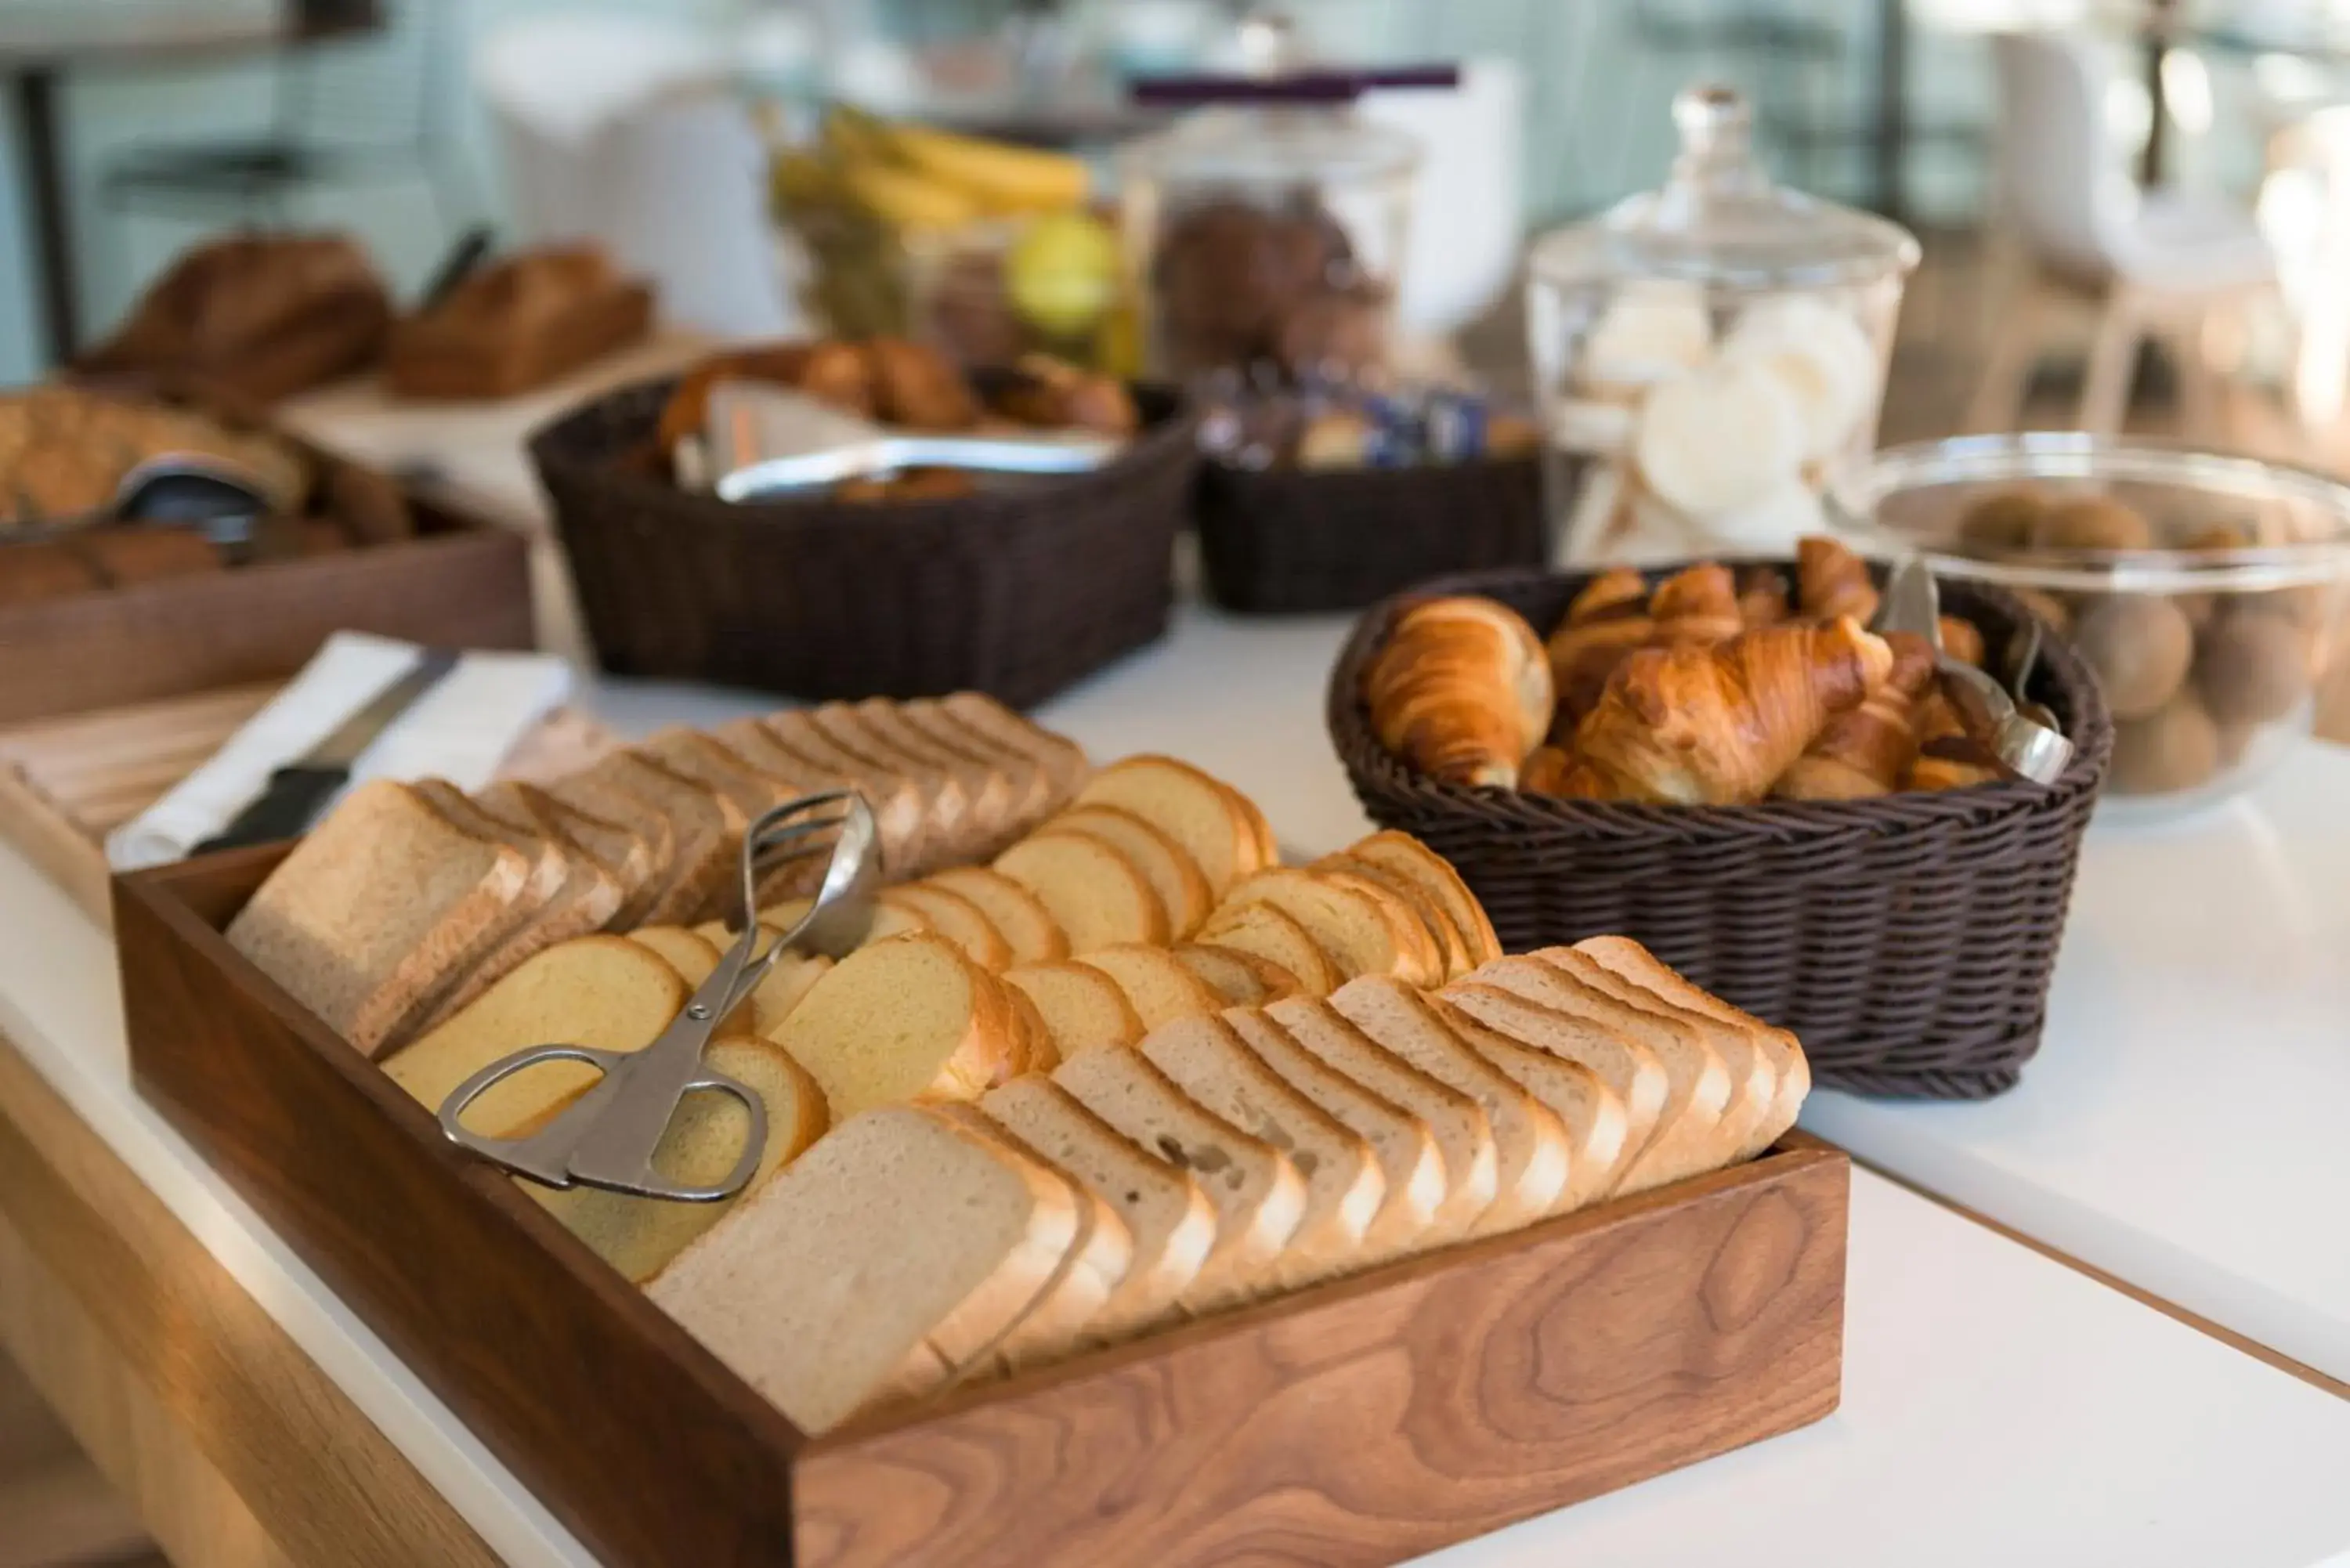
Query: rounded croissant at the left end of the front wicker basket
[{"x": 1463, "y": 692}]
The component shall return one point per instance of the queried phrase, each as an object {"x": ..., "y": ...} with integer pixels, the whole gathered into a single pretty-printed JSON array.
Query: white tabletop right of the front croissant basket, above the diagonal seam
[{"x": 2187, "y": 1125}]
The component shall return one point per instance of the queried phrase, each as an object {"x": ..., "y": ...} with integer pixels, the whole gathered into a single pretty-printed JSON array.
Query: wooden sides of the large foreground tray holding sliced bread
[{"x": 1355, "y": 1423}]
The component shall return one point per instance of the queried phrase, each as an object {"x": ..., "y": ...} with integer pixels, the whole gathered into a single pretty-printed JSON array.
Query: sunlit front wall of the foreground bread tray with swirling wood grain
[{"x": 1385, "y": 1416}]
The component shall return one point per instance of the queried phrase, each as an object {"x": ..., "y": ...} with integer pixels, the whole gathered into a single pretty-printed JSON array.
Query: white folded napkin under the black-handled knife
[{"x": 462, "y": 730}]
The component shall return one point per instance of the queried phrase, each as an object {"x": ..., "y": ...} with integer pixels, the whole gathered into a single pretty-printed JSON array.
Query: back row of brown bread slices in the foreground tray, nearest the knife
[{"x": 410, "y": 902}]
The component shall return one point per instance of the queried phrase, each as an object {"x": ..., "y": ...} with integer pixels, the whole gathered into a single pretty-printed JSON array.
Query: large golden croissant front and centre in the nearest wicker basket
[{"x": 1719, "y": 725}]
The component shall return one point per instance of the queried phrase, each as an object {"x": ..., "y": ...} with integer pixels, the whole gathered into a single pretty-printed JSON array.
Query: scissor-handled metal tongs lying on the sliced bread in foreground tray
[{"x": 610, "y": 1134}]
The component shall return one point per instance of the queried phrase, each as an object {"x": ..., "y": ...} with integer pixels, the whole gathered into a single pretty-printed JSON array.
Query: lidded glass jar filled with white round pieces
[{"x": 1710, "y": 356}]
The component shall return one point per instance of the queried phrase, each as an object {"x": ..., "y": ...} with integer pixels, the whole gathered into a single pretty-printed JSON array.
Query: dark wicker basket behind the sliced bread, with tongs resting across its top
[{"x": 1014, "y": 594}]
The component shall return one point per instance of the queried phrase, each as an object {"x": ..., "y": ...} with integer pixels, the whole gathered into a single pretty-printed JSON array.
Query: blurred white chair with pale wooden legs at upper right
[{"x": 2074, "y": 222}]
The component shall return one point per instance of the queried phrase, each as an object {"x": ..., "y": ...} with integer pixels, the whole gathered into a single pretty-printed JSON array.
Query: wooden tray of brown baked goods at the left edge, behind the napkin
[{"x": 100, "y": 615}]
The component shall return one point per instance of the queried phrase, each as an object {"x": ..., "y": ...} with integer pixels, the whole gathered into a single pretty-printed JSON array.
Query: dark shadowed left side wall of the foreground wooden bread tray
[{"x": 598, "y": 1402}]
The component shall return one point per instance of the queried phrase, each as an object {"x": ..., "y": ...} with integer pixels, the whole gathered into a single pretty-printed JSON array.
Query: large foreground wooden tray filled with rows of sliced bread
[{"x": 1127, "y": 1198}]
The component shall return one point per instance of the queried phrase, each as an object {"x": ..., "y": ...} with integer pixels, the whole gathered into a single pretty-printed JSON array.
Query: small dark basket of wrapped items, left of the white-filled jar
[{"x": 1315, "y": 540}]
